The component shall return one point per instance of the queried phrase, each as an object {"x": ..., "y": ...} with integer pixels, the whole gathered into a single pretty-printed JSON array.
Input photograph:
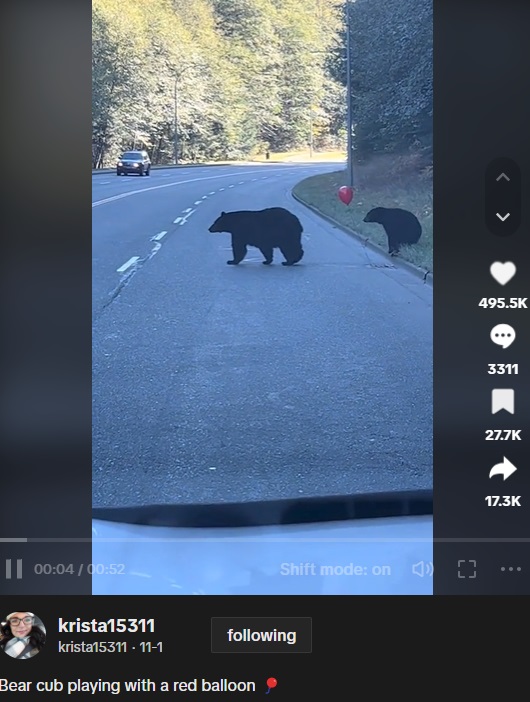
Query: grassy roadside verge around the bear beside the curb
[{"x": 383, "y": 182}]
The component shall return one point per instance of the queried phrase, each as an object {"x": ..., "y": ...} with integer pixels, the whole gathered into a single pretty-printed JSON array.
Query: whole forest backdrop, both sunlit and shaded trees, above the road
[{"x": 218, "y": 80}]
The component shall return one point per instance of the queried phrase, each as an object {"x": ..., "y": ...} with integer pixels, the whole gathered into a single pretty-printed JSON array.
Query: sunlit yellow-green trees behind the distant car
[{"x": 247, "y": 75}]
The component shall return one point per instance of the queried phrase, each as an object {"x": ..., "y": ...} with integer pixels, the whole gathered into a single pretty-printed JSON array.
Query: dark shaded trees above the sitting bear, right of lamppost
[{"x": 392, "y": 76}]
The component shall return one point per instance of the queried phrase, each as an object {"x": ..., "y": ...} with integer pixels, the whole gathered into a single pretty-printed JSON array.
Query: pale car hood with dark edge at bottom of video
[{"x": 167, "y": 554}]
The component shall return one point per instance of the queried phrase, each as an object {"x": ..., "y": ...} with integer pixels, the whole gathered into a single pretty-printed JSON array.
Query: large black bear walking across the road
[{"x": 267, "y": 229}]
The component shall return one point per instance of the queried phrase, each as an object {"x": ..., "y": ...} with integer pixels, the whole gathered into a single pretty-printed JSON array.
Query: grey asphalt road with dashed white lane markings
[{"x": 230, "y": 383}]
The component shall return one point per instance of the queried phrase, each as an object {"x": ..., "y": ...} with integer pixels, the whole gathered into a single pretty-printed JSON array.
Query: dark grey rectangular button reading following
[{"x": 261, "y": 634}]
